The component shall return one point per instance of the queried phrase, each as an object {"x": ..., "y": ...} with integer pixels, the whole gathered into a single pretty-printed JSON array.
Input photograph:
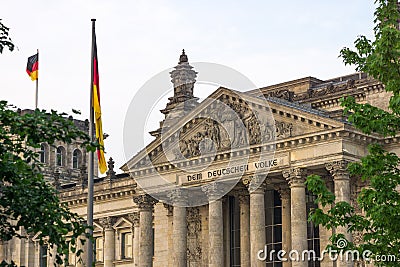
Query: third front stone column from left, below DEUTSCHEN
[{"x": 215, "y": 228}]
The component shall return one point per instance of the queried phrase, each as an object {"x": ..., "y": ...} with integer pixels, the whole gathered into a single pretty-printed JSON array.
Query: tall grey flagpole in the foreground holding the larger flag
[{"x": 91, "y": 160}]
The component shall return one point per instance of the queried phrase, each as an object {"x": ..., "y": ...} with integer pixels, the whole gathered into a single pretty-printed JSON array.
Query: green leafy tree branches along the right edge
[{"x": 380, "y": 201}]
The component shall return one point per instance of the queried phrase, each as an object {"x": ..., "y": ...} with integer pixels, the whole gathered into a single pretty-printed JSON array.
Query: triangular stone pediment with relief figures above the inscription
[{"x": 228, "y": 120}]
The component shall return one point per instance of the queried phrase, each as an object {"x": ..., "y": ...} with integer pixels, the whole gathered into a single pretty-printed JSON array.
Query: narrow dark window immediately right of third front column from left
[{"x": 234, "y": 224}]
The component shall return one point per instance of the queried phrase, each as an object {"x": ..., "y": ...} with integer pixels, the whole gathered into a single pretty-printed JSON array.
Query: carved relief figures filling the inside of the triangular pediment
[{"x": 229, "y": 132}]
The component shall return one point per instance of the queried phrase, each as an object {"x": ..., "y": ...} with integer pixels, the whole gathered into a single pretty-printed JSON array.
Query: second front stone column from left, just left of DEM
[{"x": 179, "y": 228}]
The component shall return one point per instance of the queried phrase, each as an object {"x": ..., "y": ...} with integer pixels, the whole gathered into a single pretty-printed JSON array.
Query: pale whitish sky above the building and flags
[{"x": 267, "y": 41}]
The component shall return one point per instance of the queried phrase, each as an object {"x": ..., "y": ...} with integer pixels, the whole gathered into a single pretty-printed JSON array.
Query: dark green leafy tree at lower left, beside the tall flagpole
[{"x": 26, "y": 199}]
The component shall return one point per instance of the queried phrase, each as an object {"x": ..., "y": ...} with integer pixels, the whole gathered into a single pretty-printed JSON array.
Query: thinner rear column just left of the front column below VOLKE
[{"x": 244, "y": 208}]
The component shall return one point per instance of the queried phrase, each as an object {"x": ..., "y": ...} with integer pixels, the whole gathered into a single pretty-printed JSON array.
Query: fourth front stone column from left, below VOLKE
[{"x": 256, "y": 187}]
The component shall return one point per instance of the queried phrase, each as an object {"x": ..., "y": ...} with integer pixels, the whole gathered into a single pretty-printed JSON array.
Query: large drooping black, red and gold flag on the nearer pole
[{"x": 97, "y": 110}]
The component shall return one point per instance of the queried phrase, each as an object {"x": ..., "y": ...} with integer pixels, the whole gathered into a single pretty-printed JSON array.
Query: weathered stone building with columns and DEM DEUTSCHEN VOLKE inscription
[{"x": 263, "y": 209}]
